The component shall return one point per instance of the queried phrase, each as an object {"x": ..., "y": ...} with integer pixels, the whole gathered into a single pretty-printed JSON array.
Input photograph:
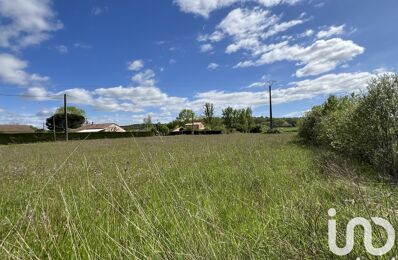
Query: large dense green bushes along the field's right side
[{"x": 361, "y": 126}]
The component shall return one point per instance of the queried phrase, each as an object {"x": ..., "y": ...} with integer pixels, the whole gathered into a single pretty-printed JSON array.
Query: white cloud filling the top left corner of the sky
[{"x": 27, "y": 22}]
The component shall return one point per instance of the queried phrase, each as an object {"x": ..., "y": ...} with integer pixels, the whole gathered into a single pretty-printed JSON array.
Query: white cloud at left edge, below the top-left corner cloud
[{"x": 12, "y": 71}]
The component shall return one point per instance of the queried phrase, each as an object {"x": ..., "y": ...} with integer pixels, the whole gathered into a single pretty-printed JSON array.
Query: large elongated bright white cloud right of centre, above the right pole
[{"x": 320, "y": 57}]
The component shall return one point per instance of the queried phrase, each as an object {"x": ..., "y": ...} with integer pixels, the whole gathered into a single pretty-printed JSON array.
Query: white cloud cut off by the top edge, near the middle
[{"x": 205, "y": 7}]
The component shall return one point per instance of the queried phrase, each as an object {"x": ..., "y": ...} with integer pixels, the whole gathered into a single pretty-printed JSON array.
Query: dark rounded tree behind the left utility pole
[{"x": 76, "y": 118}]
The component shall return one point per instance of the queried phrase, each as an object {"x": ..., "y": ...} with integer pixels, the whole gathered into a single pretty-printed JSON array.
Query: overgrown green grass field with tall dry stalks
[{"x": 240, "y": 196}]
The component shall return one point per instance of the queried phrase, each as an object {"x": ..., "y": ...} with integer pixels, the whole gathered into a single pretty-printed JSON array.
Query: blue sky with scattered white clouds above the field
[{"x": 124, "y": 60}]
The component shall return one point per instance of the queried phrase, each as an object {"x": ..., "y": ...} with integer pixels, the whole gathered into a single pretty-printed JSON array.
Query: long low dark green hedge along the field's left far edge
[{"x": 48, "y": 137}]
